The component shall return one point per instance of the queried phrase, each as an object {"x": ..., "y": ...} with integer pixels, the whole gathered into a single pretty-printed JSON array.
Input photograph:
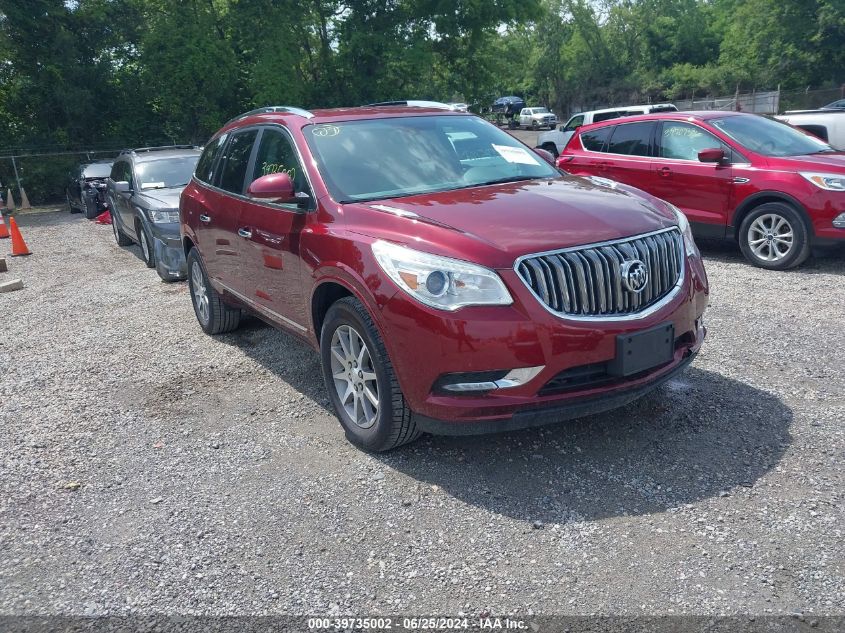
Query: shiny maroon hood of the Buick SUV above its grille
[{"x": 494, "y": 224}]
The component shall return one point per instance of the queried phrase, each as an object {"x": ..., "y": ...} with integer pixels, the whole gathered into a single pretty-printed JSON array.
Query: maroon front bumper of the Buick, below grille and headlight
[{"x": 424, "y": 344}]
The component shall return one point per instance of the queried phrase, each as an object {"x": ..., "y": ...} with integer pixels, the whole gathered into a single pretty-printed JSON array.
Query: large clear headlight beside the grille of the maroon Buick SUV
[{"x": 440, "y": 282}]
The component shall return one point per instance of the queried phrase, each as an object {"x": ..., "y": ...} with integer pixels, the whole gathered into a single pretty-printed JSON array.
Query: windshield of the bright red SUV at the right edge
[{"x": 769, "y": 137}]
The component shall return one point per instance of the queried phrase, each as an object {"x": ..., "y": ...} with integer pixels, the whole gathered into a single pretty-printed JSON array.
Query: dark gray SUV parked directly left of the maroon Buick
[{"x": 143, "y": 191}]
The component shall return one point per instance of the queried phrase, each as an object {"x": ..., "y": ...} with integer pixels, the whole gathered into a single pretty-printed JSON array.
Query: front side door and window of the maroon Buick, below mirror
[{"x": 270, "y": 233}]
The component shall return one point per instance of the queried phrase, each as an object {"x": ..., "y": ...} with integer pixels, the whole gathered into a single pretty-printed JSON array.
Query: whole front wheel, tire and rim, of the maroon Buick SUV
[{"x": 378, "y": 428}]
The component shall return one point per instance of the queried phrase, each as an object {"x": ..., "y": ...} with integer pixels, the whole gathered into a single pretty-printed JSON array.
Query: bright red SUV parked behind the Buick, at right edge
[{"x": 777, "y": 190}]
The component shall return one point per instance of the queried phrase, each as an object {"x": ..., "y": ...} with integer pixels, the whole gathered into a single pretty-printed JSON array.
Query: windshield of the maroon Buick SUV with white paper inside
[{"x": 388, "y": 158}]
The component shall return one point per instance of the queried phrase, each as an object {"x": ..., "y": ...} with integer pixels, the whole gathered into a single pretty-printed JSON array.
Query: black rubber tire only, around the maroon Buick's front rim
[{"x": 395, "y": 423}]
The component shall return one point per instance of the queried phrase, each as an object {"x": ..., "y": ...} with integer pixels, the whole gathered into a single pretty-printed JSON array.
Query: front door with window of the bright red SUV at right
[{"x": 701, "y": 190}]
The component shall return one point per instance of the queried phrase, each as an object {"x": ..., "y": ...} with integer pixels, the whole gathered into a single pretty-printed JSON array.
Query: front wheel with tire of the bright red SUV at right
[{"x": 774, "y": 236}]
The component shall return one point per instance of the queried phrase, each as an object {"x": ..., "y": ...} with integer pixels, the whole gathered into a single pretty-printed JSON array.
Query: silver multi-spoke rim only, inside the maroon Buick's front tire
[{"x": 354, "y": 376}]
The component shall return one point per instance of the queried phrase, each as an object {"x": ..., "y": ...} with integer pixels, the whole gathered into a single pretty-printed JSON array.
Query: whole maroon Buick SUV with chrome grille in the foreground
[{"x": 450, "y": 279}]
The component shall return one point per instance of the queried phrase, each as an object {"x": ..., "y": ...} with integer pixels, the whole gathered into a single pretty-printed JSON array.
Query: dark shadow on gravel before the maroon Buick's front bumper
[{"x": 699, "y": 436}]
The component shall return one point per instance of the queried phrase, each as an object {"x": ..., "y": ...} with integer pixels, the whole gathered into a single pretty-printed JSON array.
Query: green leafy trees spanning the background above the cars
[{"x": 110, "y": 73}]
